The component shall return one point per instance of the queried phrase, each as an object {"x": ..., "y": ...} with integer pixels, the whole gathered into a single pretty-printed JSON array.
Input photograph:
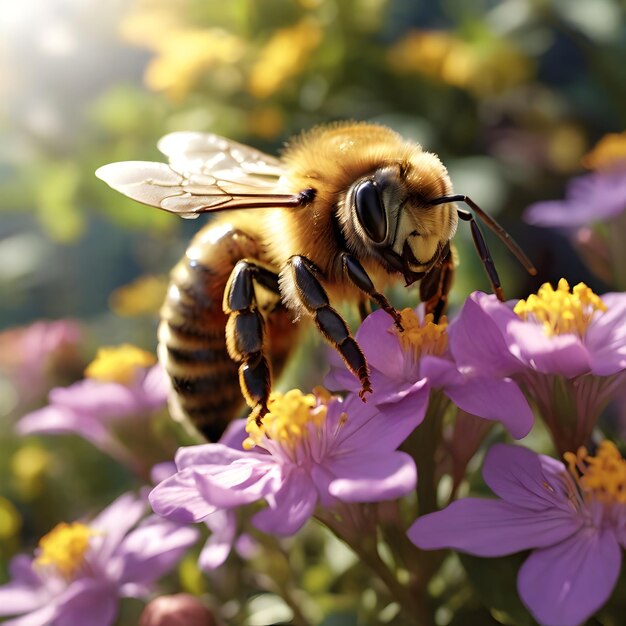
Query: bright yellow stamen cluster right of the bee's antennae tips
[{"x": 559, "y": 311}]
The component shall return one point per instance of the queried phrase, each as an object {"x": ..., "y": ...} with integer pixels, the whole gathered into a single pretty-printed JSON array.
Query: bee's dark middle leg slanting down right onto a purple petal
[{"x": 311, "y": 295}]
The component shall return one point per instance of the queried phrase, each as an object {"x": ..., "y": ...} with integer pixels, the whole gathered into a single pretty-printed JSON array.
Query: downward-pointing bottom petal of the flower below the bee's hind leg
[{"x": 290, "y": 507}]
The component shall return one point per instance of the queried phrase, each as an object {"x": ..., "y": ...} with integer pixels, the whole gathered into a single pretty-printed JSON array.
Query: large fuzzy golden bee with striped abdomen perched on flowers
[{"x": 347, "y": 209}]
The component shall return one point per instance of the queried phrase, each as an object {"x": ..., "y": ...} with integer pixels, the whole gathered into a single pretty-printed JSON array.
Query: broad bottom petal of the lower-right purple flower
[{"x": 565, "y": 584}]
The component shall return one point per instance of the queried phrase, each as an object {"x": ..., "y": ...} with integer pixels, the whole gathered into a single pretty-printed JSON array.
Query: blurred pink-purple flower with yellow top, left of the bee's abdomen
[{"x": 107, "y": 408}]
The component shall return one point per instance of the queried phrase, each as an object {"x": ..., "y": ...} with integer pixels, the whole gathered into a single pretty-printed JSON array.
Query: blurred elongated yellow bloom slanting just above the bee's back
[{"x": 283, "y": 56}]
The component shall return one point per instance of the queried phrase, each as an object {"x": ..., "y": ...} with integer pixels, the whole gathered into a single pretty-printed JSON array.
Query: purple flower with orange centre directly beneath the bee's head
[{"x": 406, "y": 366}]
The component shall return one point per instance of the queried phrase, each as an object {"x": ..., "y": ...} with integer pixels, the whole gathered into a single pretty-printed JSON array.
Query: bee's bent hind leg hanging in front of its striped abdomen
[{"x": 245, "y": 332}]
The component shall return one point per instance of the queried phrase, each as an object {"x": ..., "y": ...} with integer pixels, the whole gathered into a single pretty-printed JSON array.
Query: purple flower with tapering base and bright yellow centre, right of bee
[{"x": 567, "y": 350}]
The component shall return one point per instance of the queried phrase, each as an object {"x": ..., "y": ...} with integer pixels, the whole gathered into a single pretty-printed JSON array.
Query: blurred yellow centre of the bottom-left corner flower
[{"x": 64, "y": 548}]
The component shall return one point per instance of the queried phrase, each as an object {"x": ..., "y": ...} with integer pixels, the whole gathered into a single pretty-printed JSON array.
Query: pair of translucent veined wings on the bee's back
[{"x": 205, "y": 173}]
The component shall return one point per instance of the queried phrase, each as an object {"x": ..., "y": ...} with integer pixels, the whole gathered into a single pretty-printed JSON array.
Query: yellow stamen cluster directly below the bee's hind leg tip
[{"x": 289, "y": 418}]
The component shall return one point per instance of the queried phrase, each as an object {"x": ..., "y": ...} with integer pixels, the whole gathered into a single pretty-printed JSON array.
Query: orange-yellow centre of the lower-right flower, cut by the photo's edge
[{"x": 602, "y": 476}]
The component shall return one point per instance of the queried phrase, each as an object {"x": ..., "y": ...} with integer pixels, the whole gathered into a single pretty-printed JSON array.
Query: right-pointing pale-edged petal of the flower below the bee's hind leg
[{"x": 360, "y": 477}]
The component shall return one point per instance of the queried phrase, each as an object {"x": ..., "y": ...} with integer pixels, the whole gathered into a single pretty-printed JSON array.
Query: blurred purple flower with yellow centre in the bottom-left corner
[{"x": 81, "y": 570}]
